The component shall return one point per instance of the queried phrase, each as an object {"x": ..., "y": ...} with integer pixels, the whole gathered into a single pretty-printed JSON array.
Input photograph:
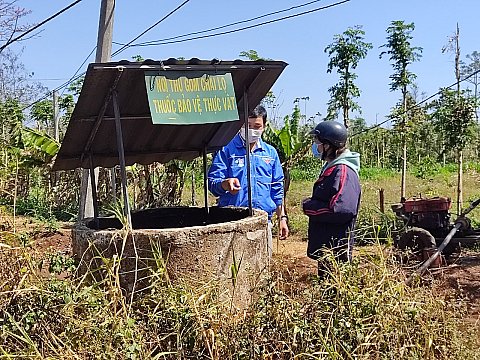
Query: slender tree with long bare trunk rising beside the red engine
[{"x": 401, "y": 53}]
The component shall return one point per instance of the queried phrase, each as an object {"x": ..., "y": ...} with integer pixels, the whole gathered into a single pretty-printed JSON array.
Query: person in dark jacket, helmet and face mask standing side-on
[{"x": 332, "y": 209}]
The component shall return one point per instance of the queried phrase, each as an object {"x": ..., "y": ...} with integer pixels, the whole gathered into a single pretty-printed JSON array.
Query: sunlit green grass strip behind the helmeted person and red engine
[{"x": 371, "y": 222}]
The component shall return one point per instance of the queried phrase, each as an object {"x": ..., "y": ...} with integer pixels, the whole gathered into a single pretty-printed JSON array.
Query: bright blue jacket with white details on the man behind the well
[{"x": 265, "y": 171}]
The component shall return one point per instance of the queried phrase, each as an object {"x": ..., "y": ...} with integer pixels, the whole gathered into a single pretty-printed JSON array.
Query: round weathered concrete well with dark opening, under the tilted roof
[{"x": 186, "y": 243}]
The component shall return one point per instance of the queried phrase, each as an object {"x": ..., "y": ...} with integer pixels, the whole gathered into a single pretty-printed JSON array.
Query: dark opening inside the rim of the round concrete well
[{"x": 173, "y": 217}]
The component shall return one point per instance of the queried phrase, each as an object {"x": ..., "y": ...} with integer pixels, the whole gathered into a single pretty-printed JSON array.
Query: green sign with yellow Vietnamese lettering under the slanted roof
[{"x": 184, "y": 98}]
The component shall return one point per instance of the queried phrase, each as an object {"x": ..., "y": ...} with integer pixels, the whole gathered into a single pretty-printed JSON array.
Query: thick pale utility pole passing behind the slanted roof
[{"x": 104, "y": 54}]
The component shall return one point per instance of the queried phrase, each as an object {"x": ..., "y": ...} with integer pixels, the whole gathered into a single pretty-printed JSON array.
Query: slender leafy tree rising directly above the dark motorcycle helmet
[{"x": 345, "y": 53}]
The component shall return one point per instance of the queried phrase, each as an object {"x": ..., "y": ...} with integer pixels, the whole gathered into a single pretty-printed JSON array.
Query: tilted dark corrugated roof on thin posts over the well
[{"x": 145, "y": 142}]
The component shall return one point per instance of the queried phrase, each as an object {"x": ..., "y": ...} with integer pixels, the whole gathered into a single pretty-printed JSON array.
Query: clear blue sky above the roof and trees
[{"x": 64, "y": 43}]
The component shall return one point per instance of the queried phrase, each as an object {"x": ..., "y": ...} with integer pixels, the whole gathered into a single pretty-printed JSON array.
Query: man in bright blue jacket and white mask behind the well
[{"x": 227, "y": 176}]
